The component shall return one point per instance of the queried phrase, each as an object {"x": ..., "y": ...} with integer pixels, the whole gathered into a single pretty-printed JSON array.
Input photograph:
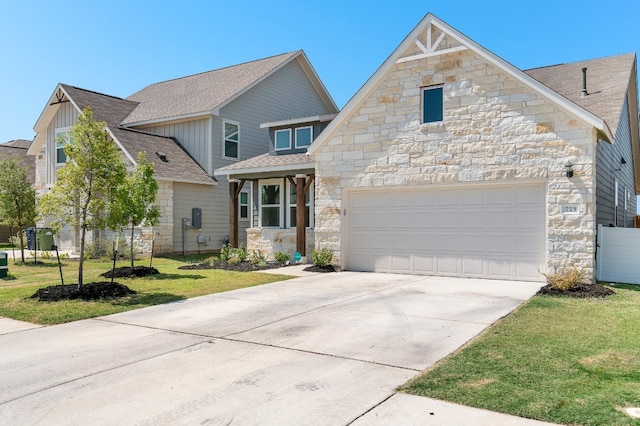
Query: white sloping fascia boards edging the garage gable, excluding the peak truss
[{"x": 500, "y": 63}]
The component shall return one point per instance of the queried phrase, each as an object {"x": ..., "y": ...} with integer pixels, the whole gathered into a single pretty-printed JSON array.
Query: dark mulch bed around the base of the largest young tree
[{"x": 91, "y": 291}]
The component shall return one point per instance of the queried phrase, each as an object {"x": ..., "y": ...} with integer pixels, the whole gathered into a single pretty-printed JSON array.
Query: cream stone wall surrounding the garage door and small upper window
[{"x": 494, "y": 129}]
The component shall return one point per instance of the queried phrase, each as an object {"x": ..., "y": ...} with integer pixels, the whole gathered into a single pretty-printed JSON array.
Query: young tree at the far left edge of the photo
[{"x": 17, "y": 197}]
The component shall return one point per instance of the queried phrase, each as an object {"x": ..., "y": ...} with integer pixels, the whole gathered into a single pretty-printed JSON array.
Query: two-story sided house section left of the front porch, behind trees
[{"x": 189, "y": 127}]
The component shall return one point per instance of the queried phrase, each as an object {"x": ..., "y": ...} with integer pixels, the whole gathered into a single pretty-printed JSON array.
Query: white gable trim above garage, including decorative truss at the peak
[{"x": 432, "y": 37}]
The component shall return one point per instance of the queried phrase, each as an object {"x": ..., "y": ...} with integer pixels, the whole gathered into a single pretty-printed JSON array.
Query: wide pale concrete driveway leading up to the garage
[{"x": 326, "y": 349}]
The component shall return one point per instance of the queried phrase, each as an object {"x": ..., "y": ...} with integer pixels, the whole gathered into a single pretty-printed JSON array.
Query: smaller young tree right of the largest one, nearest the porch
[{"x": 136, "y": 200}]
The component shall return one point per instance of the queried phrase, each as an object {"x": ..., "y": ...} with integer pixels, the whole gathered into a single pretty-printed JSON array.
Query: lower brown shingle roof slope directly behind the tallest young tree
[{"x": 180, "y": 165}]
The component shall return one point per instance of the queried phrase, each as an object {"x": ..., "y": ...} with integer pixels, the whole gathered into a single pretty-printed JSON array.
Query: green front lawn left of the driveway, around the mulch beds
[{"x": 170, "y": 285}]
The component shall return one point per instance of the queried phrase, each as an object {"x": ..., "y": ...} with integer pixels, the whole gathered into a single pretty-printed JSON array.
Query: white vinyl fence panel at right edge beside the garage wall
[{"x": 618, "y": 258}]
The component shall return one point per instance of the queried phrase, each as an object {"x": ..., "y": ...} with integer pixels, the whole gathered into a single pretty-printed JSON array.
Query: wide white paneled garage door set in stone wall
[{"x": 487, "y": 232}]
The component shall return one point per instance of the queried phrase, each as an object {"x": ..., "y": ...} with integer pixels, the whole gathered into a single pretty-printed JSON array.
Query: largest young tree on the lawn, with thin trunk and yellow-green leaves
[{"x": 86, "y": 185}]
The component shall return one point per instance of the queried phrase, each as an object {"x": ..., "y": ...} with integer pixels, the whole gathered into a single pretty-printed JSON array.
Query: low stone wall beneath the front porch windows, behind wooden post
[{"x": 270, "y": 240}]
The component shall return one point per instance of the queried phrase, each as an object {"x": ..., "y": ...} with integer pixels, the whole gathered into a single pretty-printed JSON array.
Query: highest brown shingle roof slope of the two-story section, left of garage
[{"x": 200, "y": 93}]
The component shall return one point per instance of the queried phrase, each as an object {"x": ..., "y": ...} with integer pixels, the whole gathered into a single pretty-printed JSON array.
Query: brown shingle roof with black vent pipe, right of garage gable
[{"x": 607, "y": 82}]
